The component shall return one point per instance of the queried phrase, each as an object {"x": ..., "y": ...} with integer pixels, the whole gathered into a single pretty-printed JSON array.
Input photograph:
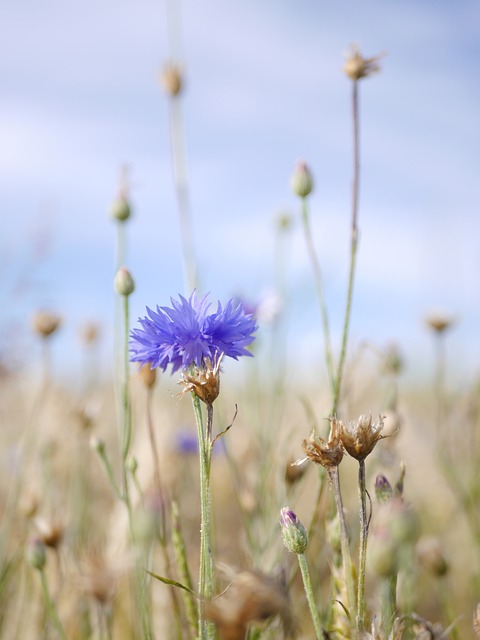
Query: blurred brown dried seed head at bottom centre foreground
[{"x": 251, "y": 596}]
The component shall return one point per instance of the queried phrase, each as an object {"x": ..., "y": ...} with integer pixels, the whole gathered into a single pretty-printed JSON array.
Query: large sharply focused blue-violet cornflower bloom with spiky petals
[{"x": 187, "y": 334}]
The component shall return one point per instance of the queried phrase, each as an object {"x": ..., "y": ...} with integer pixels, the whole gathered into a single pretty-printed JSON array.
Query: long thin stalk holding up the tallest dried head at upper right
[{"x": 353, "y": 245}]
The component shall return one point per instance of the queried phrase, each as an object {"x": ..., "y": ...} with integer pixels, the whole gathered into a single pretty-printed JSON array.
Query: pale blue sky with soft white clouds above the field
[{"x": 263, "y": 88}]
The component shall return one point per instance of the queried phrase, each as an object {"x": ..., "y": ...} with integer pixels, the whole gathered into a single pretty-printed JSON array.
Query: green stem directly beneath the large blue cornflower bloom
[{"x": 205, "y": 581}]
